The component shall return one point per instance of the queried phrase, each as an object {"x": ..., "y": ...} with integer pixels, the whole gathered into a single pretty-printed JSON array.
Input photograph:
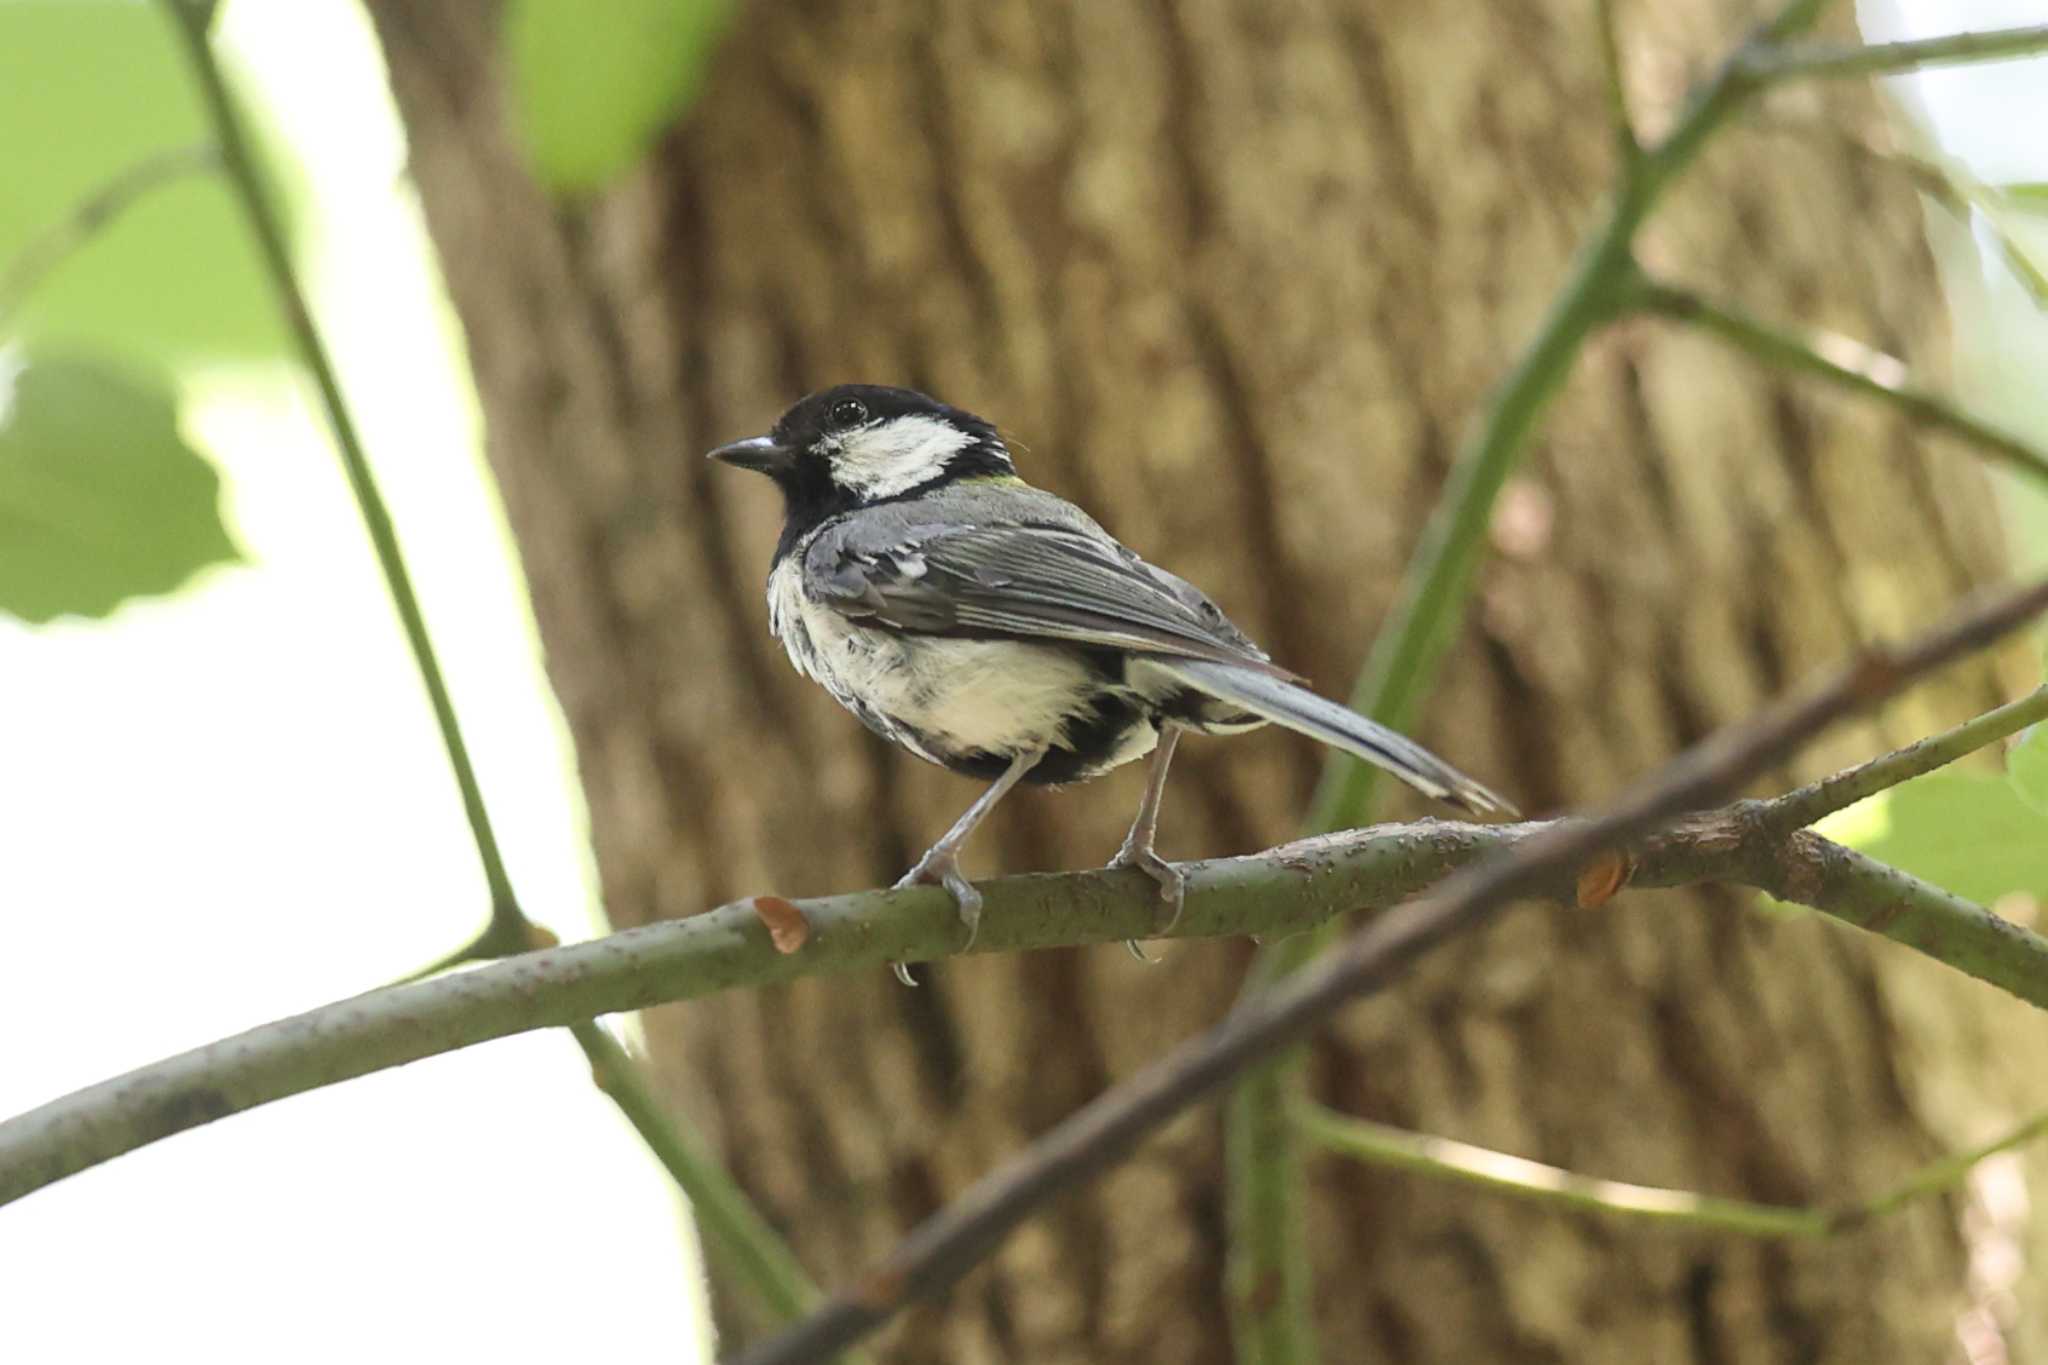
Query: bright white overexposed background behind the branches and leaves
[{"x": 232, "y": 805}]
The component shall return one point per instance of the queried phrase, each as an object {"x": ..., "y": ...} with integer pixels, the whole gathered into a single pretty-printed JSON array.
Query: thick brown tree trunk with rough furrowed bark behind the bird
[{"x": 1238, "y": 273}]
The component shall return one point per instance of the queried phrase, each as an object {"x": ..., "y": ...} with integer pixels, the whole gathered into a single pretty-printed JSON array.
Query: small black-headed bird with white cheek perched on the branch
[{"x": 998, "y": 631}]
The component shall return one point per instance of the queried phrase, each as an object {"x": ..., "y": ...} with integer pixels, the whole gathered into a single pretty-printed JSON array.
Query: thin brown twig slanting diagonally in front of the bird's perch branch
[{"x": 1105, "y": 1131}]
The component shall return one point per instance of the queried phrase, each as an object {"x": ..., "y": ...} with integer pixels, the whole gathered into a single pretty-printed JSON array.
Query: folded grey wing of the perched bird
[{"x": 1021, "y": 582}]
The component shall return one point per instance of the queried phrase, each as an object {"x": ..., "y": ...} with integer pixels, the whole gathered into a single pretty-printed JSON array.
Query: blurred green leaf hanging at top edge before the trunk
[{"x": 595, "y": 85}]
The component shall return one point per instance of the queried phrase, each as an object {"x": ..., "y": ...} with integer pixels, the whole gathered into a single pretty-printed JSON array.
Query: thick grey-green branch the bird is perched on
[{"x": 1283, "y": 891}]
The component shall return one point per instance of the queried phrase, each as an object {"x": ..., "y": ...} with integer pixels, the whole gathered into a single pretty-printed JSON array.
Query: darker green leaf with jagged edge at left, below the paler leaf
[{"x": 101, "y": 500}]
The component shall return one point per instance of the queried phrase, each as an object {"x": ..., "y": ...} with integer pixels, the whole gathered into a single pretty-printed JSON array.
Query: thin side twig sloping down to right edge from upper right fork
[{"x": 1865, "y": 371}]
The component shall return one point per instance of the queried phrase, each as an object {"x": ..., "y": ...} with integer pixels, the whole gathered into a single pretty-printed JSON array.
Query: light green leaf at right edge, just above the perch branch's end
[{"x": 1965, "y": 832}]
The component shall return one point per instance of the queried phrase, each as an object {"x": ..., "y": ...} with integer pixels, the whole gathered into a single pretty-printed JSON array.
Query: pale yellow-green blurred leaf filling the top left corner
[{"x": 89, "y": 89}]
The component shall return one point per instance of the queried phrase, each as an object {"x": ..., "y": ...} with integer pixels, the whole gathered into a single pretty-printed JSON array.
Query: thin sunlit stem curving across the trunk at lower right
[{"x": 1445, "y": 1159}]
